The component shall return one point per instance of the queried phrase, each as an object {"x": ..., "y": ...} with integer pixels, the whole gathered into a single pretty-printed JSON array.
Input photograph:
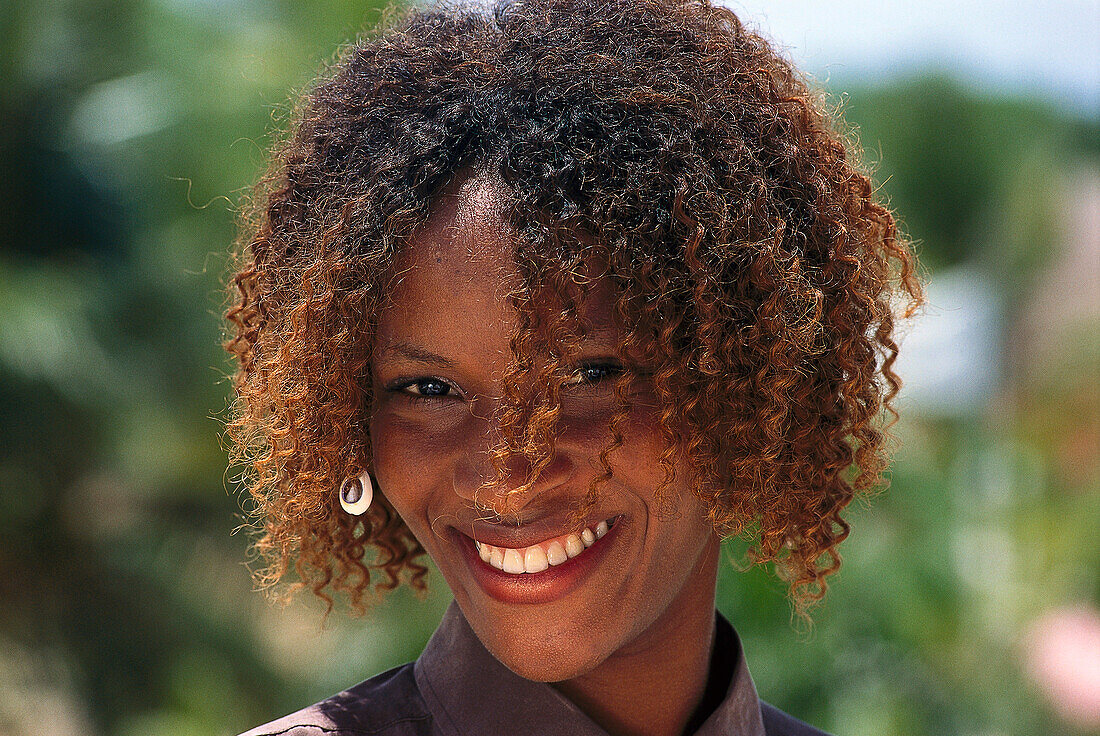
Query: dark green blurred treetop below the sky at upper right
[{"x": 950, "y": 159}]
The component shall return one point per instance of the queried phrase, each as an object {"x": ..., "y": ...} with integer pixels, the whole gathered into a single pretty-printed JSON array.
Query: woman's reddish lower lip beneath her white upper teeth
[{"x": 552, "y": 585}]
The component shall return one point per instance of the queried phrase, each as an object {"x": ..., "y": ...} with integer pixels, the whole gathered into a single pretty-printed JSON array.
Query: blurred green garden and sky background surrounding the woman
[{"x": 129, "y": 129}]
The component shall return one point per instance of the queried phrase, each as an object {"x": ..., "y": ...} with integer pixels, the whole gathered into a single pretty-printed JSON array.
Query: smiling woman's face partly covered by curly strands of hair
[{"x": 442, "y": 348}]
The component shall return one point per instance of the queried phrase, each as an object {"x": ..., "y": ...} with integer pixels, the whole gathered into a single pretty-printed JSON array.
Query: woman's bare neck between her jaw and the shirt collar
[{"x": 654, "y": 686}]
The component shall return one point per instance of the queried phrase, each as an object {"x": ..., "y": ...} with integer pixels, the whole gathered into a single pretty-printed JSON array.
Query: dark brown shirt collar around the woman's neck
[{"x": 469, "y": 691}]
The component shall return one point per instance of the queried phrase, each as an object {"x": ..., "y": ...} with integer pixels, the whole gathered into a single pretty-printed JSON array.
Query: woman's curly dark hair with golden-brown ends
[{"x": 755, "y": 272}]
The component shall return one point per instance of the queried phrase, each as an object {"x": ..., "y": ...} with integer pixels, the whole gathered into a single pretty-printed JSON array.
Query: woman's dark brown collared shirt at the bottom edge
[{"x": 457, "y": 688}]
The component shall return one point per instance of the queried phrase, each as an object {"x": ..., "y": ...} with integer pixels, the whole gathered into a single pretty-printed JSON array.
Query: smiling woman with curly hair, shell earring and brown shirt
[{"x": 563, "y": 295}]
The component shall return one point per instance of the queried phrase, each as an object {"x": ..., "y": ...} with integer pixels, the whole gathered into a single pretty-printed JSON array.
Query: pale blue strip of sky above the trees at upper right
[{"x": 1051, "y": 49}]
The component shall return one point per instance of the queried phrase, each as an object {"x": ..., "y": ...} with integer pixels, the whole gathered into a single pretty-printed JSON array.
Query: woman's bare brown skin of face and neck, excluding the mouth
[{"x": 631, "y": 645}]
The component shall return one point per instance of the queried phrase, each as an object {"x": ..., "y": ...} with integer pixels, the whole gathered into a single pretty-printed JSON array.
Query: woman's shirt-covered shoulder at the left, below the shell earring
[{"x": 389, "y": 705}]
